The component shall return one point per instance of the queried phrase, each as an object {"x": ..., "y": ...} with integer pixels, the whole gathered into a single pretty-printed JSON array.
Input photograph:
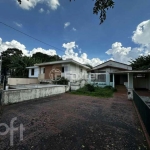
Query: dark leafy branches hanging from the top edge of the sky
[{"x": 100, "y": 6}]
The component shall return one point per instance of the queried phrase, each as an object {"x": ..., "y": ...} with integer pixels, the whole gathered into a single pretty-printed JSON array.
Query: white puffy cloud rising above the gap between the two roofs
[{"x": 83, "y": 58}]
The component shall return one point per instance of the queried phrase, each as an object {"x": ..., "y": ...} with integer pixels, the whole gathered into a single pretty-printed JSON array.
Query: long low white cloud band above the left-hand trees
[{"x": 15, "y": 44}]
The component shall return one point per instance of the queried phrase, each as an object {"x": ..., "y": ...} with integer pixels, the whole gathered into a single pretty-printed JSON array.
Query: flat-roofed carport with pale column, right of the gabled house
[{"x": 135, "y": 79}]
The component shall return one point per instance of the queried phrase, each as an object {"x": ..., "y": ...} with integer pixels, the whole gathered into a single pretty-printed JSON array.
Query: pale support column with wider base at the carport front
[{"x": 130, "y": 85}]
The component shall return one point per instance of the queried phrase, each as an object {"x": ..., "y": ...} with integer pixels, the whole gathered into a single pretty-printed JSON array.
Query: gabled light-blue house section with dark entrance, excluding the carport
[{"x": 103, "y": 74}]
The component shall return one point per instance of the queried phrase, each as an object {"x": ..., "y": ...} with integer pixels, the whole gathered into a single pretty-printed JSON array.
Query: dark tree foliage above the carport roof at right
[{"x": 141, "y": 63}]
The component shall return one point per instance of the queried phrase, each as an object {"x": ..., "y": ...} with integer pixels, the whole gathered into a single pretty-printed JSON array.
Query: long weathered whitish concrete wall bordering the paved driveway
[{"x": 19, "y": 95}]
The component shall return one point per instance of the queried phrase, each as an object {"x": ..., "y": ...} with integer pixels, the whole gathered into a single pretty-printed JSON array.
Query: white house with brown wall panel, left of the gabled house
[{"x": 70, "y": 69}]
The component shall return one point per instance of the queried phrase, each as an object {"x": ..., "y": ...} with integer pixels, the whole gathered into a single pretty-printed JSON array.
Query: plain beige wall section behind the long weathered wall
[{"x": 15, "y": 81}]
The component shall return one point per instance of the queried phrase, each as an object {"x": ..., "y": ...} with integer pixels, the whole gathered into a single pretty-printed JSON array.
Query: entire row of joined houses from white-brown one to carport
[{"x": 108, "y": 73}]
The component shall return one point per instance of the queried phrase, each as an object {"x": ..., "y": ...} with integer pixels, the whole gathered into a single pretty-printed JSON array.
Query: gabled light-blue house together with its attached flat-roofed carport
[{"x": 115, "y": 73}]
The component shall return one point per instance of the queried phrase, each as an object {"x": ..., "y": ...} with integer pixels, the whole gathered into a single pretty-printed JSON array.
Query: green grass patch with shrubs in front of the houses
[{"x": 91, "y": 90}]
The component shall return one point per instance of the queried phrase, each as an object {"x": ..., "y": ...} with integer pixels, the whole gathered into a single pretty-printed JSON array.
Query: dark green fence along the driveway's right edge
[{"x": 143, "y": 109}]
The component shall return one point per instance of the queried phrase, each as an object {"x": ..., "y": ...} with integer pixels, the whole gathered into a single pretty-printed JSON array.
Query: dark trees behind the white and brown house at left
[{"x": 15, "y": 63}]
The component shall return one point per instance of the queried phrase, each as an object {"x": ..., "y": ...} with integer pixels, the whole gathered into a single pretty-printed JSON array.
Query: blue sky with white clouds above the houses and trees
[{"x": 124, "y": 34}]
